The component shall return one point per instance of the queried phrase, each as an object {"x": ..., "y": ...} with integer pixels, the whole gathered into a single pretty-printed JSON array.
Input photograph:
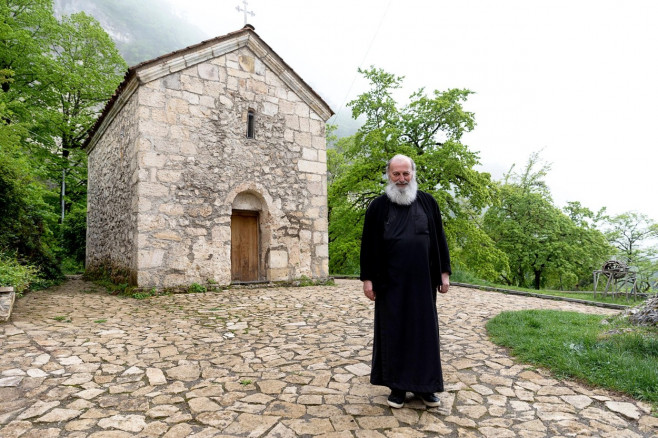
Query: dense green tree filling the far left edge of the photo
[{"x": 26, "y": 220}]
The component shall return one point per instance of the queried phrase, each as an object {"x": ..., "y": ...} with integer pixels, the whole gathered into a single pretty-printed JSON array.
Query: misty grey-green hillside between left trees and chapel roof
[{"x": 142, "y": 30}]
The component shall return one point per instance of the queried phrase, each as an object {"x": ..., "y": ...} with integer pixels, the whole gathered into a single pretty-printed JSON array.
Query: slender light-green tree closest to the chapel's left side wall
[{"x": 84, "y": 70}]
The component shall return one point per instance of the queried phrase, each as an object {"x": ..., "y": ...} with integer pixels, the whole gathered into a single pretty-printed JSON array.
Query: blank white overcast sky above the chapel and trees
[{"x": 577, "y": 79}]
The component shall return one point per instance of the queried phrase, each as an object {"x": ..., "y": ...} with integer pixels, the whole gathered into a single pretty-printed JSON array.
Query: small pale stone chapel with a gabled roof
[{"x": 208, "y": 166}]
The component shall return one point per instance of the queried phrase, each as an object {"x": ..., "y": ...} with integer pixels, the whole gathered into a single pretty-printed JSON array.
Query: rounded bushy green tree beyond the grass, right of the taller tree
[{"x": 544, "y": 245}]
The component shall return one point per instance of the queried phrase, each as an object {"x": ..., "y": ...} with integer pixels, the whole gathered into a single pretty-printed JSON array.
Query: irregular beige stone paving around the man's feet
[{"x": 274, "y": 362}]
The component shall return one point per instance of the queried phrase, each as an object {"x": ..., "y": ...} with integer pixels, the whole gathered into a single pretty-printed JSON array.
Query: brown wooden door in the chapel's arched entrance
[{"x": 244, "y": 246}]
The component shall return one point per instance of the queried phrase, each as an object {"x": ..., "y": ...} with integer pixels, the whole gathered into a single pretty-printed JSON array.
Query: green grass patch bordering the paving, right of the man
[{"x": 610, "y": 354}]
